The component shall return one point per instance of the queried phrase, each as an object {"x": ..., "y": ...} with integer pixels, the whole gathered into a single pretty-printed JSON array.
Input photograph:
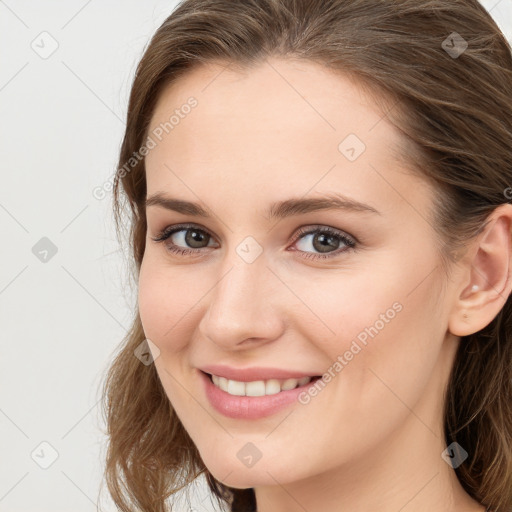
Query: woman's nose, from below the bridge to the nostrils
[{"x": 243, "y": 306}]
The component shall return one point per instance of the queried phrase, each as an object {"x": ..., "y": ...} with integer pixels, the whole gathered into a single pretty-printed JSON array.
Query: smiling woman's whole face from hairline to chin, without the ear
[{"x": 364, "y": 302}]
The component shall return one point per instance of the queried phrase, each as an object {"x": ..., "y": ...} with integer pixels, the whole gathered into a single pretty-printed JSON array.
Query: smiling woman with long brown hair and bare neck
[{"x": 321, "y": 235}]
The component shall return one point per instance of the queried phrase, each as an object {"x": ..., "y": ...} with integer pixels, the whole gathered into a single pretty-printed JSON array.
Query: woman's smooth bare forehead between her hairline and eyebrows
[{"x": 279, "y": 125}]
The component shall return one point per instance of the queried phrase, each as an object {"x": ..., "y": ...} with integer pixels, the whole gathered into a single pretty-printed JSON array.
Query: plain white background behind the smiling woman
[{"x": 62, "y": 121}]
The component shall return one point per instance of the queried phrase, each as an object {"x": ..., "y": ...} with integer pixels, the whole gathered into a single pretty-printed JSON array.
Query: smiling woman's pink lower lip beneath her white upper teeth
[{"x": 249, "y": 407}]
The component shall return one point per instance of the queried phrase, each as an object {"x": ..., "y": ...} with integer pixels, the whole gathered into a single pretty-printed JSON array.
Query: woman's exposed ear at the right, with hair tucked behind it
[{"x": 486, "y": 281}]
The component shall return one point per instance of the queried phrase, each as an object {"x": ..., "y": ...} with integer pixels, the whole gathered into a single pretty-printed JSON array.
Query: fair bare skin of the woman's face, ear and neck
[{"x": 372, "y": 438}]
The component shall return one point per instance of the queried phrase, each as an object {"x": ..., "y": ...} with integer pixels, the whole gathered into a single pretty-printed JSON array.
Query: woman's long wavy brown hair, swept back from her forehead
[{"x": 453, "y": 106}]
